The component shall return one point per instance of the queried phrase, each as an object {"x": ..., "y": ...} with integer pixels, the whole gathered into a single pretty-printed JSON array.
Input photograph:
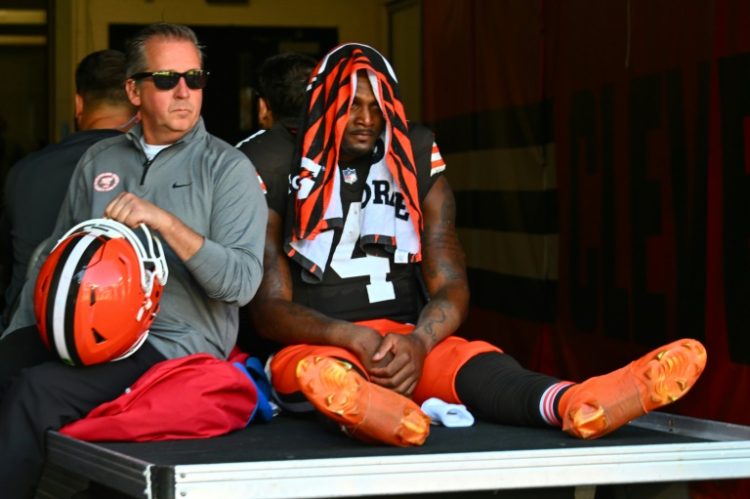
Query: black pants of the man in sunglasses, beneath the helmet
[{"x": 39, "y": 393}]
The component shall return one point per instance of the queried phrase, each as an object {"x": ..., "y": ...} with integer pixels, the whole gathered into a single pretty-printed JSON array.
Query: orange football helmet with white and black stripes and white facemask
[{"x": 98, "y": 292}]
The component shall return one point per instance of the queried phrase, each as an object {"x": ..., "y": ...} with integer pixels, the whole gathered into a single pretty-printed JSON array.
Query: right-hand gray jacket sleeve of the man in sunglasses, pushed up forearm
[{"x": 229, "y": 265}]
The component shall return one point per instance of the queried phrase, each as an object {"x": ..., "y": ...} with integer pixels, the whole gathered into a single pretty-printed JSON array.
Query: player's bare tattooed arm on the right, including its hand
[{"x": 444, "y": 271}]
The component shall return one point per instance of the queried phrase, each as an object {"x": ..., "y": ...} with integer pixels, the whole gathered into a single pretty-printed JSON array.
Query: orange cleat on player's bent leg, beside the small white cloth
[{"x": 364, "y": 410}]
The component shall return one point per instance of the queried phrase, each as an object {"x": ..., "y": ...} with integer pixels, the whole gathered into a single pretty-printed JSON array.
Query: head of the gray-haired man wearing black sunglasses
[{"x": 166, "y": 81}]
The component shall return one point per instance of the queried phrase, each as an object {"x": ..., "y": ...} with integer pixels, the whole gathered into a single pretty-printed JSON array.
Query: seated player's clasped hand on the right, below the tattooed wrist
[{"x": 402, "y": 372}]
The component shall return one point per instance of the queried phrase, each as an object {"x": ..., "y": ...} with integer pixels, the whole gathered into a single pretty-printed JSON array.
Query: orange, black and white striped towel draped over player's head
[{"x": 316, "y": 199}]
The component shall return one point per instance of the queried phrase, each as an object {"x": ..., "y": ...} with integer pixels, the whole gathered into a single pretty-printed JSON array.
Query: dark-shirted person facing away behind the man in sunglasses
[{"x": 36, "y": 185}]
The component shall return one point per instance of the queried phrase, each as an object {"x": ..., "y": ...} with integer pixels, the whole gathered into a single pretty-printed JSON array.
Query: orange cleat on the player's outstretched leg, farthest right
[{"x": 602, "y": 404}]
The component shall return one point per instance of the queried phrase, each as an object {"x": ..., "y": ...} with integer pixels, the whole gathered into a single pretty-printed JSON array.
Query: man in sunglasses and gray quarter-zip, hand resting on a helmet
[{"x": 203, "y": 199}]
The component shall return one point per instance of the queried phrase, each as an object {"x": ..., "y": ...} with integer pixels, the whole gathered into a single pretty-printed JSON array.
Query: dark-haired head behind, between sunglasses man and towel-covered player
[{"x": 282, "y": 80}]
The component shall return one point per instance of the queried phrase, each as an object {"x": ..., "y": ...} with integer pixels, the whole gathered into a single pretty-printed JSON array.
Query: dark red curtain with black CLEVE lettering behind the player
[{"x": 643, "y": 111}]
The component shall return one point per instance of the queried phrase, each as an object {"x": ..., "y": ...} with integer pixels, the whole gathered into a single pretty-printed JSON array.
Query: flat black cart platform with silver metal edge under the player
[{"x": 303, "y": 457}]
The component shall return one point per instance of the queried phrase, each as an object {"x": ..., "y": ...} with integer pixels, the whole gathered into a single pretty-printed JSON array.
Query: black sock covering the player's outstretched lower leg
[{"x": 496, "y": 388}]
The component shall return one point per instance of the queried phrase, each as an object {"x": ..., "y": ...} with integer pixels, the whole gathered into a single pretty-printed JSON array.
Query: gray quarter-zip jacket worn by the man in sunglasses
[{"x": 214, "y": 189}]
